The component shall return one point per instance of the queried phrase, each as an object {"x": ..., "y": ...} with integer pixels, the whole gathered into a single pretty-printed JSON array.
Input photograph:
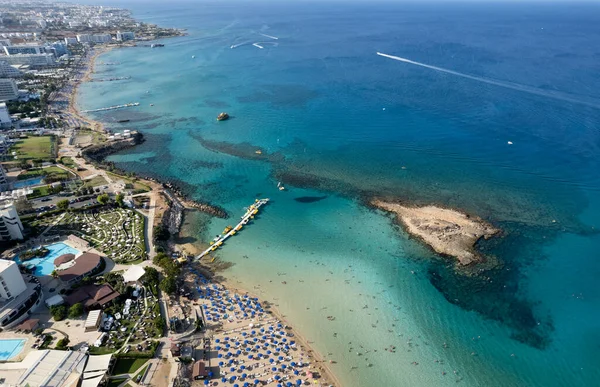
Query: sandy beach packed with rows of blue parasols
[{"x": 249, "y": 338}]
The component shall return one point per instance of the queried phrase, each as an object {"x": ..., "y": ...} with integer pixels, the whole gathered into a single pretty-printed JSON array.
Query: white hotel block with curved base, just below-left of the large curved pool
[{"x": 19, "y": 296}]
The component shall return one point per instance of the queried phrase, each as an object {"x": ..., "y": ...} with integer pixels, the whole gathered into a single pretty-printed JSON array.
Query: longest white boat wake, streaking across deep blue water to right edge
[{"x": 509, "y": 85}]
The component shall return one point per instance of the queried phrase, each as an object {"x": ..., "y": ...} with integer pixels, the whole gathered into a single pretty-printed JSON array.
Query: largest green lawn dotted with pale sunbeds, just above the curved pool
[{"x": 116, "y": 232}]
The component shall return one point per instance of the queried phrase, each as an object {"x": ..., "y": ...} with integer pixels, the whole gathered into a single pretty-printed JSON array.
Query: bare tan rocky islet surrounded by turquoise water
[{"x": 447, "y": 231}]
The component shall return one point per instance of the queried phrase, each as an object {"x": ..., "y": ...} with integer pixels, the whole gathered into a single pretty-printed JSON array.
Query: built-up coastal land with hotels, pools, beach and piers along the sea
[{"x": 95, "y": 290}]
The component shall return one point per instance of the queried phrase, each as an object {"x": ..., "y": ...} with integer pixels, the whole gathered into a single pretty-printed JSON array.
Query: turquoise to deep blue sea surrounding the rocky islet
[{"x": 340, "y": 124}]
